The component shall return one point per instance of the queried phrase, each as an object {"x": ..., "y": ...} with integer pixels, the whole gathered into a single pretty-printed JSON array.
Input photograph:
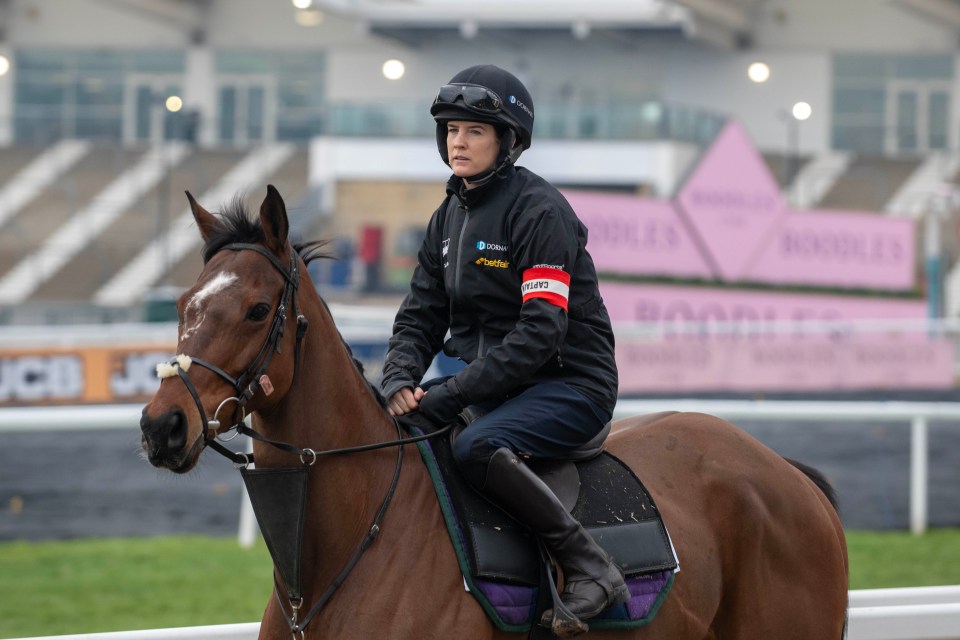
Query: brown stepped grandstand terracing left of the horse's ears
[{"x": 32, "y": 229}]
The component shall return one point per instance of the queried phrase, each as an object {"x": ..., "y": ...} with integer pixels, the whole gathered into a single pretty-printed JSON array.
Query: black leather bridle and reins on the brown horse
[{"x": 246, "y": 385}]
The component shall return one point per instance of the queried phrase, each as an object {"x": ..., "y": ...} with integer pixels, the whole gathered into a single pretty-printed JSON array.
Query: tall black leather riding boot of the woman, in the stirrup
[{"x": 592, "y": 582}]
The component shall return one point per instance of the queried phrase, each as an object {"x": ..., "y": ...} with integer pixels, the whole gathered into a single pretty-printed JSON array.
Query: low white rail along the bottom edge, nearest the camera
[{"x": 923, "y": 613}]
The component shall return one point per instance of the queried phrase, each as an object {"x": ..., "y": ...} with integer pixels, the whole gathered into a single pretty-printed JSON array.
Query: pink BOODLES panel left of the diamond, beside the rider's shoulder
[{"x": 634, "y": 235}]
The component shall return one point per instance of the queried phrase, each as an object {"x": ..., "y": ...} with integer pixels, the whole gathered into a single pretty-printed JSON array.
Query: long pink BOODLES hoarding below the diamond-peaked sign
[{"x": 768, "y": 355}]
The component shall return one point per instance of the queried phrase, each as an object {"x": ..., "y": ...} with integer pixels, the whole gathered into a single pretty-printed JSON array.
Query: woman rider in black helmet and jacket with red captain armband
[{"x": 504, "y": 269}]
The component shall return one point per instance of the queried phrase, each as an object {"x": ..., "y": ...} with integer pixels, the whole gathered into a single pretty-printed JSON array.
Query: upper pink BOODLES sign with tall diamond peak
[{"x": 729, "y": 222}]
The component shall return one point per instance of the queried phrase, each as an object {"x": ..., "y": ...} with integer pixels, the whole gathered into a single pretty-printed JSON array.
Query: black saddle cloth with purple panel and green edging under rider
[{"x": 499, "y": 557}]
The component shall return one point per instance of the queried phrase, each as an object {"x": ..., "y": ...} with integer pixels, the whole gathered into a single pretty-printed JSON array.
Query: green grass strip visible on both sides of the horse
[{"x": 86, "y": 586}]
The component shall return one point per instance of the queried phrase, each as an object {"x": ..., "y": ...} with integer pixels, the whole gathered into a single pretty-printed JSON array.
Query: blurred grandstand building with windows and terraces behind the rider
[{"x": 93, "y": 162}]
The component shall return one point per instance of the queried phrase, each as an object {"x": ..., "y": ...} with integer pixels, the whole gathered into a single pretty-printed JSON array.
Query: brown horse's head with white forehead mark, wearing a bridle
[{"x": 238, "y": 337}]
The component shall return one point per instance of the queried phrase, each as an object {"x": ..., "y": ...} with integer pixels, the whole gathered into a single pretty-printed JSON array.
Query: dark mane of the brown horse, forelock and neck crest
[{"x": 238, "y": 226}]
